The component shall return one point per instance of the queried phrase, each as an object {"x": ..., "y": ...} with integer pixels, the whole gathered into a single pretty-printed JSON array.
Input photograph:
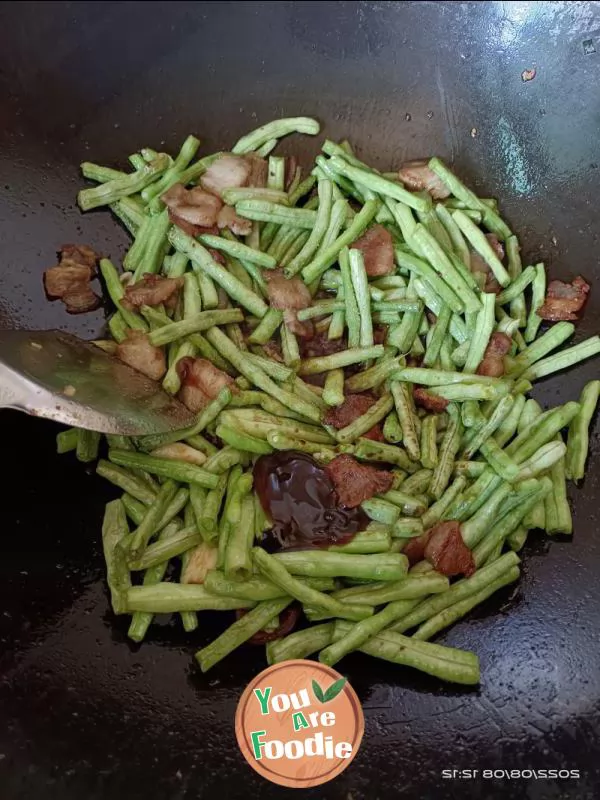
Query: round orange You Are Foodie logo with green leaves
[{"x": 299, "y": 723}]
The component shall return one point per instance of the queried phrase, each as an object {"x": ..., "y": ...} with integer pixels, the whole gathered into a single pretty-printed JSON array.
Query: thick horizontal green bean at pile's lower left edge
[{"x": 172, "y": 598}]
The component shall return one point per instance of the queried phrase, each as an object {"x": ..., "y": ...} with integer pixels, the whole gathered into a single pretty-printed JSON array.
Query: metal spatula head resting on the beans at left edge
[{"x": 56, "y": 375}]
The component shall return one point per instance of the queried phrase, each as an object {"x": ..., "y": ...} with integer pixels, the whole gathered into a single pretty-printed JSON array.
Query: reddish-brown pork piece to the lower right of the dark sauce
[{"x": 444, "y": 548}]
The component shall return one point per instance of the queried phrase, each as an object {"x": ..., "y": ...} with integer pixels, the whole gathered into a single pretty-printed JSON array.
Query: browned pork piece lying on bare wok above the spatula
[{"x": 69, "y": 280}]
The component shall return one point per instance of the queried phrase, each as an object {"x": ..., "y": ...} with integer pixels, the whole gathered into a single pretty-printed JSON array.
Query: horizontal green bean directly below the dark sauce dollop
[{"x": 326, "y": 564}]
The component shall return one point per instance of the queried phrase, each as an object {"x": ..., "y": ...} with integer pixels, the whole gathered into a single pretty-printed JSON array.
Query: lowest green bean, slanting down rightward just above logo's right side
[{"x": 445, "y": 663}]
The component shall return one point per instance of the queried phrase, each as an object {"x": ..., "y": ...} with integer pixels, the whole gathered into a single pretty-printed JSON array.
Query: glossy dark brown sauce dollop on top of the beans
[{"x": 299, "y": 498}]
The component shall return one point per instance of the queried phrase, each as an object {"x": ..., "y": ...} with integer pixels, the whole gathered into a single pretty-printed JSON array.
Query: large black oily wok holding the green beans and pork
[{"x": 84, "y": 712}]
